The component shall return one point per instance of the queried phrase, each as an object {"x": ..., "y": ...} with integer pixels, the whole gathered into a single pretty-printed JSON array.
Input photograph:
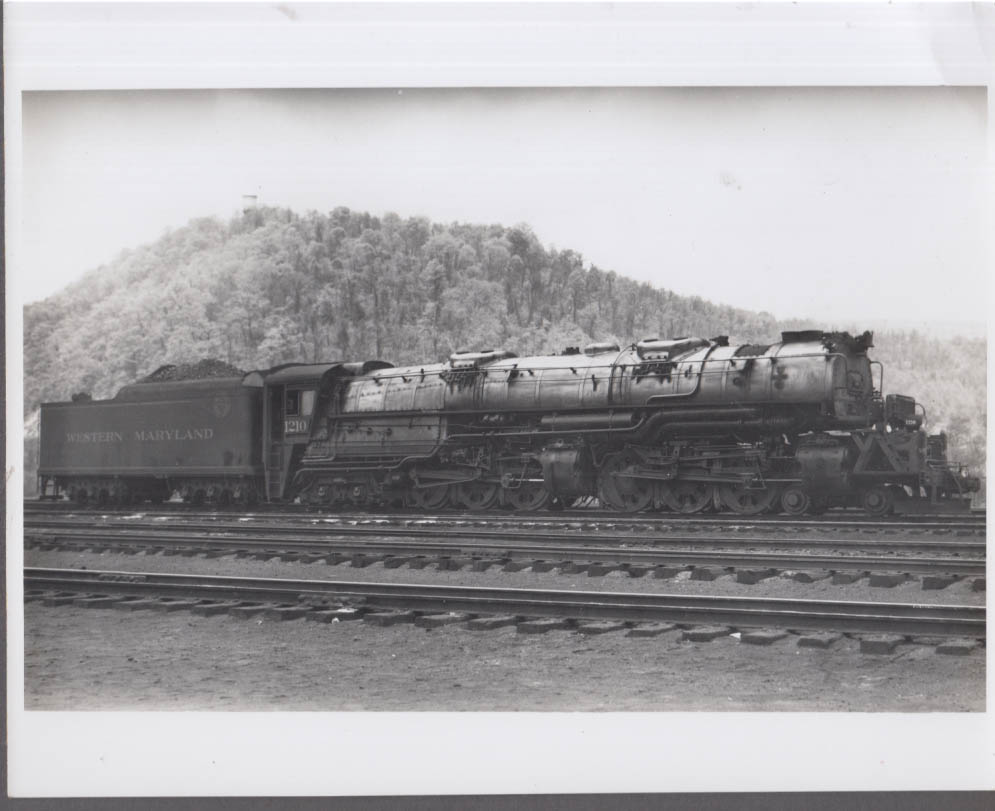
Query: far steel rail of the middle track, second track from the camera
[{"x": 574, "y": 536}]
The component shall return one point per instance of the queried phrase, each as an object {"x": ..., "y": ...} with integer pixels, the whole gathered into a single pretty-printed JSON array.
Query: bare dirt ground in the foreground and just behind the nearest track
[{"x": 120, "y": 660}]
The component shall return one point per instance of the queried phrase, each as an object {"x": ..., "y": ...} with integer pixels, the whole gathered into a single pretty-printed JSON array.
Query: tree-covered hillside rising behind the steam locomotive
[{"x": 272, "y": 286}]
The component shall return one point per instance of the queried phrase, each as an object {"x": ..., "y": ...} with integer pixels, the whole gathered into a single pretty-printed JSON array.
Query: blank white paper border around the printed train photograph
[{"x": 80, "y": 46}]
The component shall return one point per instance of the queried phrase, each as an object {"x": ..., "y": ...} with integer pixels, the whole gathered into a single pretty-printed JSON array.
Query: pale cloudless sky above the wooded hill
[{"x": 841, "y": 204}]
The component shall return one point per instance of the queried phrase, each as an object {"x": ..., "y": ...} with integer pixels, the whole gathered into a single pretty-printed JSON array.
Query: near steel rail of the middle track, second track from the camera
[{"x": 530, "y": 551}]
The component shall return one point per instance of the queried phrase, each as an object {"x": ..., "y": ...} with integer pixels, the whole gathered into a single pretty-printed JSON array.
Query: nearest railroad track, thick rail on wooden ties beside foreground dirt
[{"x": 329, "y": 597}]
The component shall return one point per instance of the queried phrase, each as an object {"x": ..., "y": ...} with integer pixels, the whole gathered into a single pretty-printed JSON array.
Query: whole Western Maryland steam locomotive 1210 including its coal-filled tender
[{"x": 684, "y": 425}]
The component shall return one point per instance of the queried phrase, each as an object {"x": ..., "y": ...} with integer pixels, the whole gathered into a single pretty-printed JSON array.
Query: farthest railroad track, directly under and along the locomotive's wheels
[{"x": 833, "y": 521}]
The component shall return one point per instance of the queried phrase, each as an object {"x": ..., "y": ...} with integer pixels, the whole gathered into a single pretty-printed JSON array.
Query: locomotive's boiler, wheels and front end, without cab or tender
[{"x": 683, "y": 424}]
